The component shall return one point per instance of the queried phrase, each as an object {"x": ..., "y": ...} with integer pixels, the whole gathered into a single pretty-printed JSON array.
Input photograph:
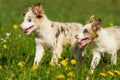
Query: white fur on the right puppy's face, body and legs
[{"x": 104, "y": 43}]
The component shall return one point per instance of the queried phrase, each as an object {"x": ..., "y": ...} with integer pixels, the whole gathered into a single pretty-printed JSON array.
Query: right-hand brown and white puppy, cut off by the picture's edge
[{"x": 103, "y": 40}]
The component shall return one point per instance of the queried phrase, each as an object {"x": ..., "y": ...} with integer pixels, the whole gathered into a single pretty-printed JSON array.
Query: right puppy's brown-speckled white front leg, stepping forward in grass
[{"x": 95, "y": 61}]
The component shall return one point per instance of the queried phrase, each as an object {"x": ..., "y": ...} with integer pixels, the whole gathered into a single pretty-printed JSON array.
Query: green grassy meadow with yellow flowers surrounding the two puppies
[{"x": 17, "y": 50}]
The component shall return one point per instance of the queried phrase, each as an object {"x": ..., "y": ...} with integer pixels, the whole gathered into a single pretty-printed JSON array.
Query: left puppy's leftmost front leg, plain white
[{"x": 39, "y": 53}]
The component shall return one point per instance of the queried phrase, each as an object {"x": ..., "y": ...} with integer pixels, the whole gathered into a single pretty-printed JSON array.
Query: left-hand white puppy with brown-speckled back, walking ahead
[{"x": 49, "y": 34}]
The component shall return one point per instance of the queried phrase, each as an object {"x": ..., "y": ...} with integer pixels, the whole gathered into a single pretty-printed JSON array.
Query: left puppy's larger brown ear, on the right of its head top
[{"x": 37, "y": 9}]
